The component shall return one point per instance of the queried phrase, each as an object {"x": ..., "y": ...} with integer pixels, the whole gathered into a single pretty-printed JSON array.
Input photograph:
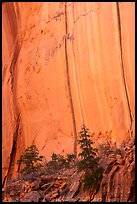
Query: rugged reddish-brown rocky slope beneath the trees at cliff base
[{"x": 118, "y": 184}]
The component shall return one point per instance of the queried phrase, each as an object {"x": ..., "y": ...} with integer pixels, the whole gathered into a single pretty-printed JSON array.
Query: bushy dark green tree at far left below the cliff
[{"x": 31, "y": 159}]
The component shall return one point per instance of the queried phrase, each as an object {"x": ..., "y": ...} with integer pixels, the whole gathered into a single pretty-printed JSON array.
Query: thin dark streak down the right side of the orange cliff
[{"x": 122, "y": 64}]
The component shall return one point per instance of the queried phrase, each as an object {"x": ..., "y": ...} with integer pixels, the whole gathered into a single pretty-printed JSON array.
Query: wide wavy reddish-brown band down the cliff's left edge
[{"x": 13, "y": 29}]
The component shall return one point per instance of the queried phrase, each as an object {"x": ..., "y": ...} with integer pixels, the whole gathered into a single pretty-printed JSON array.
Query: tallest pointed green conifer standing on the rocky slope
[{"x": 89, "y": 160}]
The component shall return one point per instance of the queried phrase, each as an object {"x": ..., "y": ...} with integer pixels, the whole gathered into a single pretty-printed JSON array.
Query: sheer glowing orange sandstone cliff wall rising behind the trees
[{"x": 64, "y": 64}]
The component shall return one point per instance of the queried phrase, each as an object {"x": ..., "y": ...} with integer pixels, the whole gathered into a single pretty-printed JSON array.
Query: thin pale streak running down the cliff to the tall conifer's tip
[{"x": 76, "y": 73}]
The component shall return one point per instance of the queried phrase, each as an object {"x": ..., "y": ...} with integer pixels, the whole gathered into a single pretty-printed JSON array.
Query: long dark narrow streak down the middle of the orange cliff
[{"x": 68, "y": 83}]
